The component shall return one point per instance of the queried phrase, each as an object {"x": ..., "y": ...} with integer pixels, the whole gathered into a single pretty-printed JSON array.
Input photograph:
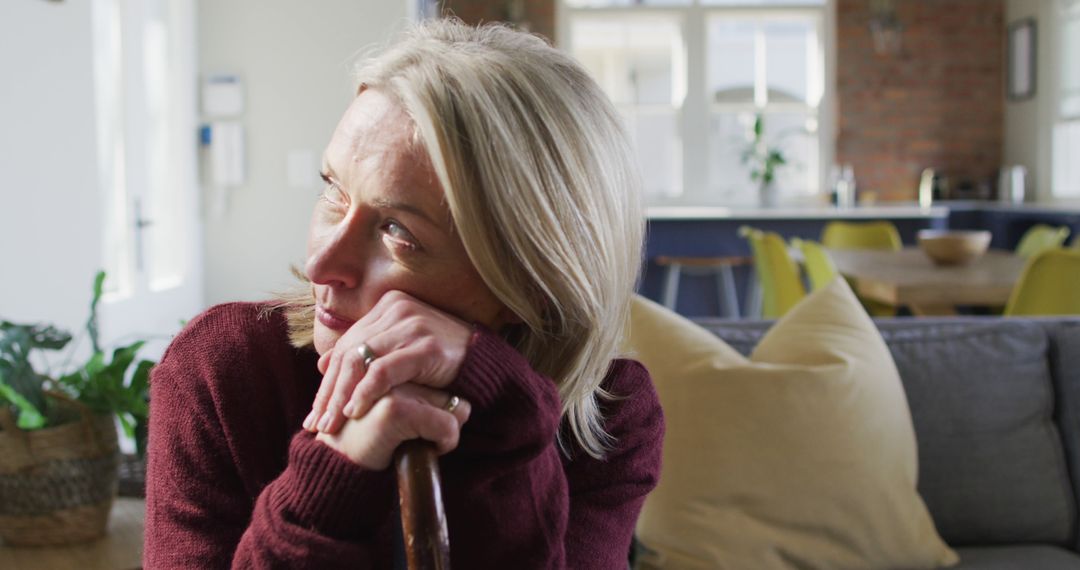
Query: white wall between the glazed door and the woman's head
[{"x": 294, "y": 59}]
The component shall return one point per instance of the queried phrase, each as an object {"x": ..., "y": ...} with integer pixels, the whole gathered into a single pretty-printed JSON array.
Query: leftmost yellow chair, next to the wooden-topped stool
[{"x": 777, "y": 273}]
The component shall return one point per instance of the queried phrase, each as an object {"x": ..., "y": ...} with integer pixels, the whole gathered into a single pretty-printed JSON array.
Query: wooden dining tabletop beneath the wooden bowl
[{"x": 909, "y": 278}]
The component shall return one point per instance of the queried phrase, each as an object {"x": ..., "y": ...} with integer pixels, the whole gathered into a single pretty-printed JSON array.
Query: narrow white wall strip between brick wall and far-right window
[{"x": 1030, "y": 124}]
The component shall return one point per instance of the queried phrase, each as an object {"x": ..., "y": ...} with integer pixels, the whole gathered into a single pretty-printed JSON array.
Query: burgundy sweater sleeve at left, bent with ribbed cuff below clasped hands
[{"x": 321, "y": 512}]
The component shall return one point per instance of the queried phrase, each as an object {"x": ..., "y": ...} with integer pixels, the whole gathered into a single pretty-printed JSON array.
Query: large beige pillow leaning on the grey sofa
[{"x": 802, "y": 457}]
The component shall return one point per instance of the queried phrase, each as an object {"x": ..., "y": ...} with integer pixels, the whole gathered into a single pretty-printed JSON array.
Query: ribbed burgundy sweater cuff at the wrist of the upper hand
[{"x": 489, "y": 364}]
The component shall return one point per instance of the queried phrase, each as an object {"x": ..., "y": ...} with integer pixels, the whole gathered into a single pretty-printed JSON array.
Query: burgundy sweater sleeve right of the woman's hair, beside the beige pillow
[{"x": 607, "y": 495}]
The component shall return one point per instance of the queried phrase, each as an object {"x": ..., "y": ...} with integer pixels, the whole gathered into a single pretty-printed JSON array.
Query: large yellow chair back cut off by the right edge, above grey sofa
[{"x": 1050, "y": 286}]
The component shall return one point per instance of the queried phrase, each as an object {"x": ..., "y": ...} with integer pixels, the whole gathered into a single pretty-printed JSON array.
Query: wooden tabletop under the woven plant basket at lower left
[{"x": 121, "y": 549}]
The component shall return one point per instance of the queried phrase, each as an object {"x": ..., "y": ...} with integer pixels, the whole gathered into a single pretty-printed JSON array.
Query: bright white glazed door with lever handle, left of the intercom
[{"x": 145, "y": 144}]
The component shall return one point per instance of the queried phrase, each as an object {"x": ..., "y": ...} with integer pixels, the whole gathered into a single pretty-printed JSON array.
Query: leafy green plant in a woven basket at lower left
[{"x": 59, "y": 449}]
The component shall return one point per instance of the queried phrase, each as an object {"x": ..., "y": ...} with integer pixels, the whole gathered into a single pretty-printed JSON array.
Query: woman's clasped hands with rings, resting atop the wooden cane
[{"x": 367, "y": 412}]
